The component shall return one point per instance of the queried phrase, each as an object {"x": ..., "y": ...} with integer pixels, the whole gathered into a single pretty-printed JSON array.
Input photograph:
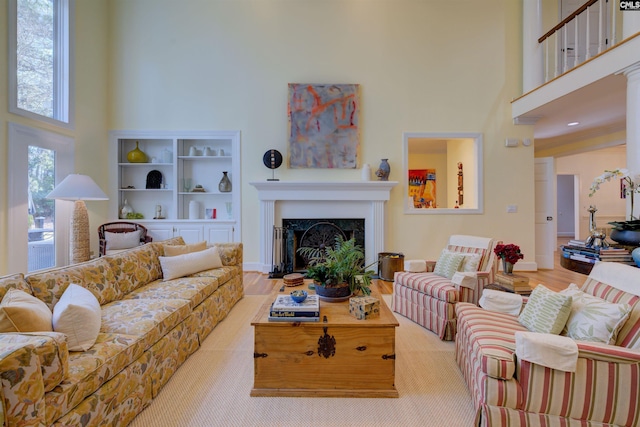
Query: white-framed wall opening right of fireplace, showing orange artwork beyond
[{"x": 443, "y": 173}]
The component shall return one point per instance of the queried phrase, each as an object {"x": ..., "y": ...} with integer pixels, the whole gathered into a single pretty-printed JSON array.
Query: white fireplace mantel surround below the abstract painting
[{"x": 312, "y": 199}]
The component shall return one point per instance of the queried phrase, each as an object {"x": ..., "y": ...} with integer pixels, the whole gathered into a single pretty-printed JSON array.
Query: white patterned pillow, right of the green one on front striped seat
[{"x": 592, "y": 318}]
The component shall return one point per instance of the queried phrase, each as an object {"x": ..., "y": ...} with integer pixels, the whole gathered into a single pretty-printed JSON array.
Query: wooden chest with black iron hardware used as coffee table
[{"x": 339, "y": 356}]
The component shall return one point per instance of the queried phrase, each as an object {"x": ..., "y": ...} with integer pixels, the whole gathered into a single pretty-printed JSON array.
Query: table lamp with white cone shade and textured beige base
[{"x": 78, "y": 188}]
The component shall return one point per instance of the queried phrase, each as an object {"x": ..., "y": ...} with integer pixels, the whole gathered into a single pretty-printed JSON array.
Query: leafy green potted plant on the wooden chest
[{"x": 338, "y": 271}]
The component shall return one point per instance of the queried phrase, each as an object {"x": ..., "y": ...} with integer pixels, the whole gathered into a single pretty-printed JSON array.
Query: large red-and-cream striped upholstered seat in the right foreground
[{"x": 604, "y": 390}]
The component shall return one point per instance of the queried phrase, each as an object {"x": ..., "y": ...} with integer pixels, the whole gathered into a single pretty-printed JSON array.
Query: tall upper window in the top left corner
[{"x": 40, "y": 57}]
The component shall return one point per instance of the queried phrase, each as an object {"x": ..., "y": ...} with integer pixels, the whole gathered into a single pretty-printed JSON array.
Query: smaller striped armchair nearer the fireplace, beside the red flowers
[{"x": 429, "y": 299}]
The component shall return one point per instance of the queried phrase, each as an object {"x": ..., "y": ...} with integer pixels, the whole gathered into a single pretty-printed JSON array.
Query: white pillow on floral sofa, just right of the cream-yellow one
[{"x": 78, "y": 315}]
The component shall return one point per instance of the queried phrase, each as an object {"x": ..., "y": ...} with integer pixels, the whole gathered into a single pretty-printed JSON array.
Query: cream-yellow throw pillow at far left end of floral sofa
[{"x": 21, "y": 312}]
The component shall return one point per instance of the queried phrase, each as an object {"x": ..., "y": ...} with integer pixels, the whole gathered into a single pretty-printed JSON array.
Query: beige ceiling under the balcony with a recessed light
[{"x": 599, "y": 108}]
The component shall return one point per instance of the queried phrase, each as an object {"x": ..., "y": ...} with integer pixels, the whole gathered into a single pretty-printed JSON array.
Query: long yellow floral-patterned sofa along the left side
[{"x": 147, "y": 328}]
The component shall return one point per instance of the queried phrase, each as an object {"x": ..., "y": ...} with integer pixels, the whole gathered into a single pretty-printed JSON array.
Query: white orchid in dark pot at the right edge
[{"x": 623, "y": 232}]
